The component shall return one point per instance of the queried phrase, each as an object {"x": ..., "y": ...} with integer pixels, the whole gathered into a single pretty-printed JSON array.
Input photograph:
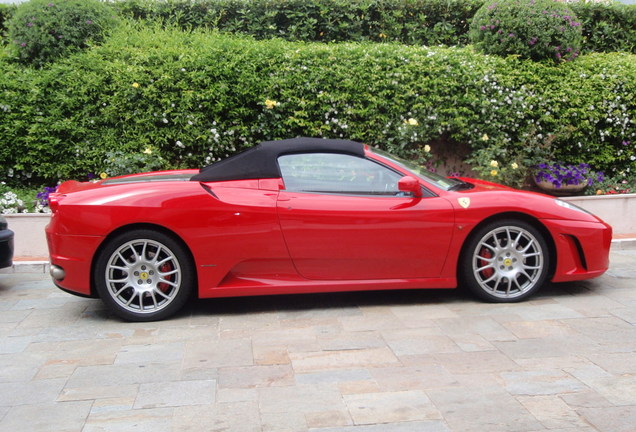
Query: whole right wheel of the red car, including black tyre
[{"x": 505, "y": 261}]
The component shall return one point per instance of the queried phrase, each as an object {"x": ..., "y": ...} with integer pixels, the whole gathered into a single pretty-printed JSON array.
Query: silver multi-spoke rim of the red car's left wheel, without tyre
[{"x": 143, "y": 276}]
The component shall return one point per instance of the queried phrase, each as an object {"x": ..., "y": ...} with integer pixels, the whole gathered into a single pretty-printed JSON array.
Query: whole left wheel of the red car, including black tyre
[{"x": 144, "y": 275}]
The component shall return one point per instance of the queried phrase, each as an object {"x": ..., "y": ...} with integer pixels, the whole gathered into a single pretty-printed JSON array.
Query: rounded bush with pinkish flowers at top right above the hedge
[{"x": 531, "y": 29}]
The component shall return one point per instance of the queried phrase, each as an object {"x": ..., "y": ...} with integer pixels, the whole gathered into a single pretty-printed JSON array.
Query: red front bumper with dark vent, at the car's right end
[{"x": 581, "y": 248}]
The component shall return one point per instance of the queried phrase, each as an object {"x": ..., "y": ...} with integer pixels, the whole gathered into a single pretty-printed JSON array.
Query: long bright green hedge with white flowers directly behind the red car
[{"x": 191, "y": 98}]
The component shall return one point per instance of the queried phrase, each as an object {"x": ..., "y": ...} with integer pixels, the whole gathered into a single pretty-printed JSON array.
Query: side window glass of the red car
[{"x": 338, "y": 174}]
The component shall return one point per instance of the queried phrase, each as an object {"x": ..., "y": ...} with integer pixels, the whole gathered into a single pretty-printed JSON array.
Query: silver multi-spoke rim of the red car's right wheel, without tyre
[{"x": 508, "y": 262}]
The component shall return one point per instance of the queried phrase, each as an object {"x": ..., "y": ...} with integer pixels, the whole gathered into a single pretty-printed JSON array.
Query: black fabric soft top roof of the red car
[{"x": 261, "y": 161}]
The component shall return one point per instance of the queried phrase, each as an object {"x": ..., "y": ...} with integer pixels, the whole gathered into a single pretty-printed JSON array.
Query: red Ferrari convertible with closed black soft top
[{"x": 310, "y": 215}]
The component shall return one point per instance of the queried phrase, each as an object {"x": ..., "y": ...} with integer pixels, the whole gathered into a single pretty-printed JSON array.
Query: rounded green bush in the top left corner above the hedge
[{"x": 43, "y": 30}]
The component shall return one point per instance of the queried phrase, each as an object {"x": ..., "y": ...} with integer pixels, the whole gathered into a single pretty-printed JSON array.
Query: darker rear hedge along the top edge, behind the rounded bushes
[{"x": 606, "y": 28}]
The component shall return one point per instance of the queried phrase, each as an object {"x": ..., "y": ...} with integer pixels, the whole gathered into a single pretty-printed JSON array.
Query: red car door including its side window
[{"x": 342, "y": 217}]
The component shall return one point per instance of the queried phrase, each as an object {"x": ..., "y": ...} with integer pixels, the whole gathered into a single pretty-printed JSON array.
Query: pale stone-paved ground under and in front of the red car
[{"x": 430, "y": 360}]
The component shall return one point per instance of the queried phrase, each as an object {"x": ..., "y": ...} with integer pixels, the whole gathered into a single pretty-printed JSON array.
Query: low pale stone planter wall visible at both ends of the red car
[{"x": 616, "y": 210}]
